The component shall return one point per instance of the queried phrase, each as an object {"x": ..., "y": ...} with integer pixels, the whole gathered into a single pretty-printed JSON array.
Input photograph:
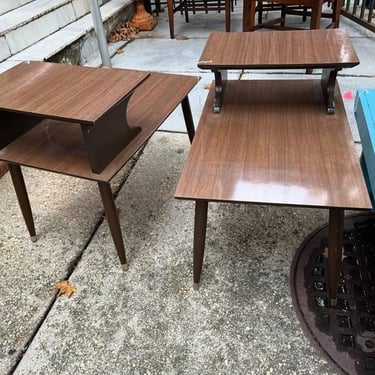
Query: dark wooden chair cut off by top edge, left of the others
[{"x": 184, "y": 6}]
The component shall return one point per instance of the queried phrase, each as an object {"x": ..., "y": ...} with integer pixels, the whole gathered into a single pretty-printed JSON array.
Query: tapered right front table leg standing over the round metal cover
[{"x": 335, "y": 240}]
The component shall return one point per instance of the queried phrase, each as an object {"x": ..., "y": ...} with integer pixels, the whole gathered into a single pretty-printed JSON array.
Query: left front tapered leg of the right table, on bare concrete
[{"x": 200, "y": 225}]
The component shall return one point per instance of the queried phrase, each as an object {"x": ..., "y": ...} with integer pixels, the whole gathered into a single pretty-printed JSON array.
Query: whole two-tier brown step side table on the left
[{"x": 47, "y": 125}]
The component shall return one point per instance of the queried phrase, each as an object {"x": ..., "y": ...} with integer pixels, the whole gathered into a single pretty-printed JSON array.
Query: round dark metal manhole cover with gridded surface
[{"x": 345, "y": 334}]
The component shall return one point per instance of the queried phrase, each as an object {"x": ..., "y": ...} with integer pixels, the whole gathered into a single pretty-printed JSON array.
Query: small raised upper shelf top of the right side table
[{"x": 326, "y": 48}]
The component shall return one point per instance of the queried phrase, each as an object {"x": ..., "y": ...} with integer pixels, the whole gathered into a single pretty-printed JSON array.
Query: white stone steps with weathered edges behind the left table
[{"x": 56, "y": 30}]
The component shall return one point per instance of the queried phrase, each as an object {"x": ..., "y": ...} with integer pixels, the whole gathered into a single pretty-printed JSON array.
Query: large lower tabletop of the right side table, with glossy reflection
[{"x": 272, "y": 144}]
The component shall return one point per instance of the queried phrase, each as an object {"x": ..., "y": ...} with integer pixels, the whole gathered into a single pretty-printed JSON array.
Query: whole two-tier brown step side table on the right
[{"x": 273, "y": 141}]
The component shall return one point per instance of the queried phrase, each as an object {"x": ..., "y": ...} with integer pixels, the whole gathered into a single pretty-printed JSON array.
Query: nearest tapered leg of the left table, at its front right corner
[{"x": 113, "y": 221}]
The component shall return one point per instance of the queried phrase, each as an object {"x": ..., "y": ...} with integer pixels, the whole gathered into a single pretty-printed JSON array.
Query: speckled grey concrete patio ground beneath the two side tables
[{"x": 150, "y": 320}]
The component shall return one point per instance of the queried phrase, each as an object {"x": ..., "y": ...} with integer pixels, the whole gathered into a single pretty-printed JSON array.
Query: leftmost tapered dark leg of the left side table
[{"x": 23, "y": 199}]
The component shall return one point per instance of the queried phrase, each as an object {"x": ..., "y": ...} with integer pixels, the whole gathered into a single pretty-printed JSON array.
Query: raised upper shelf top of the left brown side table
[{"x": 65, "y": 92}]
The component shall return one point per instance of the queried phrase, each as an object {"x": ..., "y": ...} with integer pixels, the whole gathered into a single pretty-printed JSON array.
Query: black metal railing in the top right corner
[{"x": 361, "y": 12}]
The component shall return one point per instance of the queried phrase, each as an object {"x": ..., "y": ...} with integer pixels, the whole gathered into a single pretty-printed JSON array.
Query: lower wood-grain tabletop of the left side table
[{"x": 58, "y": 146}]
